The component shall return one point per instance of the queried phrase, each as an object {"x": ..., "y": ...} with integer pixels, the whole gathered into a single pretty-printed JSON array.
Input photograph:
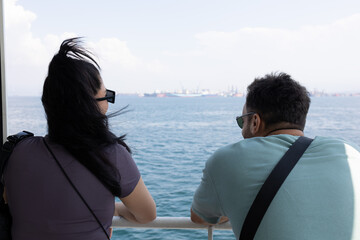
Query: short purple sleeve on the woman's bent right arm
[{"x": 129, "y": 173}]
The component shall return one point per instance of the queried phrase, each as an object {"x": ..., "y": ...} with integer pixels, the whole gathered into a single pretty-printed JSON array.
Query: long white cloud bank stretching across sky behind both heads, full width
[{"x": 320, "y": 56}]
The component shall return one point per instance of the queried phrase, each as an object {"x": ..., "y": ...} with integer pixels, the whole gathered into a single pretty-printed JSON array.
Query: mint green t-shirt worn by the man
[{"x": 320, "y": 199}]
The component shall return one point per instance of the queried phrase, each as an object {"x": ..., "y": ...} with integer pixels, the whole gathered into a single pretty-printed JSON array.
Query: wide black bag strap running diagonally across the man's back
[{"x": 271, "y": 186}]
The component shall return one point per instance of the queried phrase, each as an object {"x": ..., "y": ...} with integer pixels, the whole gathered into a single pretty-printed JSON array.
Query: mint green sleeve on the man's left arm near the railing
[{"x": 206, "y": 203}]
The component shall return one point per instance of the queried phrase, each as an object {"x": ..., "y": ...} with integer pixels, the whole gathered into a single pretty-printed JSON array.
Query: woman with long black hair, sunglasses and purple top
[{"x": 42, "y": 201}]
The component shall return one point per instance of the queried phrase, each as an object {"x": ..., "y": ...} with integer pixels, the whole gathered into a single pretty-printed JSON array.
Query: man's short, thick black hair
[{"x": 278, "y": 98}]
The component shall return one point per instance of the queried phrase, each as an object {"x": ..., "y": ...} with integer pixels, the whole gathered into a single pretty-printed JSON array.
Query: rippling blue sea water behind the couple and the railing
[{"x": 171, "y": 138}]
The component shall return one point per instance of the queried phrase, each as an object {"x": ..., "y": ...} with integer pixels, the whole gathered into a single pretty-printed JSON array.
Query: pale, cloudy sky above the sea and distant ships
[{"x": 166, "y": 45}]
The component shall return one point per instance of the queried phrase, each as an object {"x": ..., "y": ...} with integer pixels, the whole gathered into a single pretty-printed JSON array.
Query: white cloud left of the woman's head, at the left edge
[{"x": 26, "y": 56}]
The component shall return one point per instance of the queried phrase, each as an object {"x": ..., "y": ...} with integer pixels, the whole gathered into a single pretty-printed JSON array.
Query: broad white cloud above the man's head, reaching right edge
[{"x": 320, "y": 56}]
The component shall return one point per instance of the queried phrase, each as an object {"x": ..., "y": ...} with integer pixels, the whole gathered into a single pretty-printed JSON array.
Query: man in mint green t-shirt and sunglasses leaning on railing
[{"x": 320, "y": 197}]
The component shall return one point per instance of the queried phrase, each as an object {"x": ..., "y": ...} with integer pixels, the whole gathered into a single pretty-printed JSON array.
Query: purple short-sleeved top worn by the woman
[{"x": 43, "y": 203}]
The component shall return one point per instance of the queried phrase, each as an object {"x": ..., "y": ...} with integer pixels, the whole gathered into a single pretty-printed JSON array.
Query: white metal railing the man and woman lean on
[{"x": 170, "y": 223}]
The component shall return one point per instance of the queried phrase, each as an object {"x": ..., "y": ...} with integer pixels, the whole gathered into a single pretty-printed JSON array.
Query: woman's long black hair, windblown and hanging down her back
[{"x": 74, "y": 118}]
